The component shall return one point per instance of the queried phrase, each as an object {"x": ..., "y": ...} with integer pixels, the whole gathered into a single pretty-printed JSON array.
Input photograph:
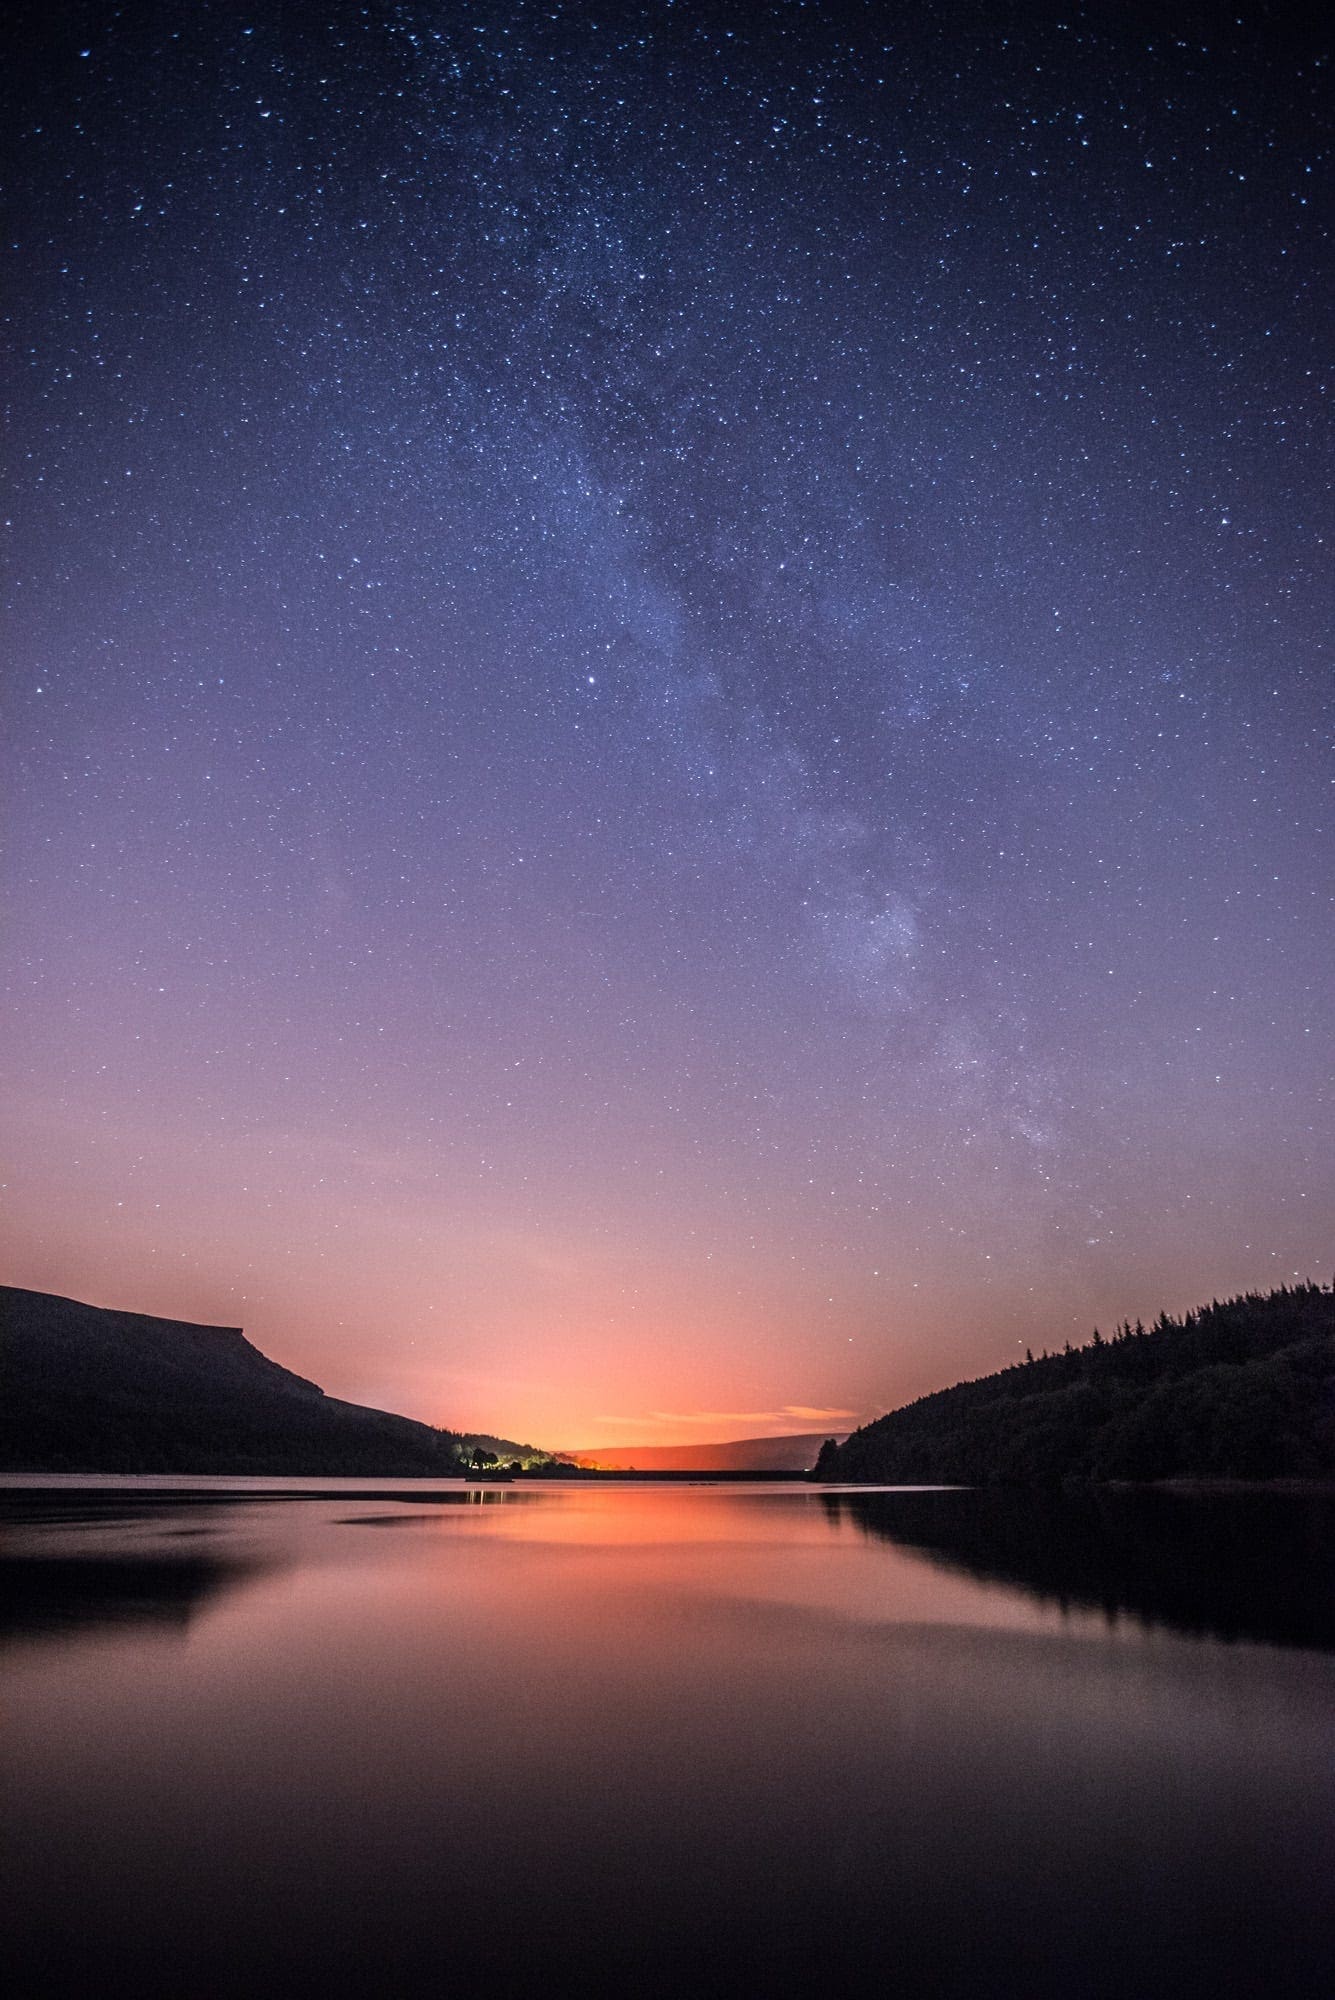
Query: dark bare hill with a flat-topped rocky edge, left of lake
[{"x": 93, "y": 1391}]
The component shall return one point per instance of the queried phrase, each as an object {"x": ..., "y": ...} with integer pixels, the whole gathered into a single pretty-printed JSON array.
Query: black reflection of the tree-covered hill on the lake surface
[{"x": 1256, "y": 1567}]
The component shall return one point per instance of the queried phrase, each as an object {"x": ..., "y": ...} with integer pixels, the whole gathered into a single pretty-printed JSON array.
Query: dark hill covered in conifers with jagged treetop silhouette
[{"x": 1242, "y": 1389}]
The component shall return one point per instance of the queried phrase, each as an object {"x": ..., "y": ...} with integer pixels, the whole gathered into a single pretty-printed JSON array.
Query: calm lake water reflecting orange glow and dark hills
[{"x": 667, "y": 1741}]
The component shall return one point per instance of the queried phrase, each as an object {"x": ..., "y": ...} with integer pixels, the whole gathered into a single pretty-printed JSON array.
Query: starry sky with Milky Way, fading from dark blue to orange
[{"x": 667, "y": 717}]
